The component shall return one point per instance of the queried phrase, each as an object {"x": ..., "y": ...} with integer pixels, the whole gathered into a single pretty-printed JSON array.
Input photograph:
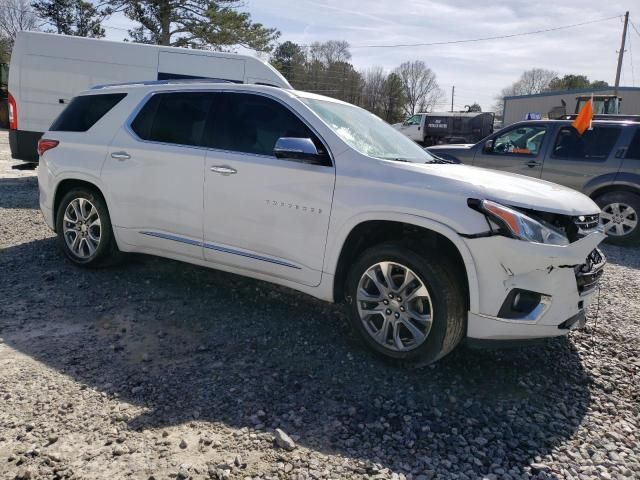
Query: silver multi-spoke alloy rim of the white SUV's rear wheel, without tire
[{"x": 81, "y": 228}]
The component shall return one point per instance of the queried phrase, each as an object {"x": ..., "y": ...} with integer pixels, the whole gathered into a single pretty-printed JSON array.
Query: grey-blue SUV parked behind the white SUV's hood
[{"x": 603, "y": 163}]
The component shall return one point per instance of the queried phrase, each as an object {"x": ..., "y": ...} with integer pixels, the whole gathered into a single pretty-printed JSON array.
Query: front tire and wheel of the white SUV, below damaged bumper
[{"x": 405, "y": 304}]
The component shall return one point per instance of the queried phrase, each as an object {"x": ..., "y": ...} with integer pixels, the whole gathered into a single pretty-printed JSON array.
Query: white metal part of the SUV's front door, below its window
[{"x": 272, "y": 216}]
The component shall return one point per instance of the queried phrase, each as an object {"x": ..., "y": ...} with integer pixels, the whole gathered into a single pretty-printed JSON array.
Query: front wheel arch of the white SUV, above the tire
[{"x": 373, "y": 229}]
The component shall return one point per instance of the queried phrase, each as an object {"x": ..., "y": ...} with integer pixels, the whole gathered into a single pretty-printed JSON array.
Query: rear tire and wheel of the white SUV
[{"x": 84, "y": 228}]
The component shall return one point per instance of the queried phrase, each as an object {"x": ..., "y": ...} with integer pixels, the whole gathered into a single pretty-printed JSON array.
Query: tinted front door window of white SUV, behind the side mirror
[{"x": 252, "y": 124}]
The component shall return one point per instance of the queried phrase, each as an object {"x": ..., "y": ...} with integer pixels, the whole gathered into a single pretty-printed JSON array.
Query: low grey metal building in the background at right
[{"x": 517, "y": 108}]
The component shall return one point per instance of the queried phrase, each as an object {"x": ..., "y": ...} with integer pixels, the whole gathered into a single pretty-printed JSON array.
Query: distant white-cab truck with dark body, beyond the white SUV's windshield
[{"x": 447, "y": 127}]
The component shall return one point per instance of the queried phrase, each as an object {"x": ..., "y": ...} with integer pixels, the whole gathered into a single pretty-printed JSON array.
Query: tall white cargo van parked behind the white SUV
[{"x": 47, "y": 70}]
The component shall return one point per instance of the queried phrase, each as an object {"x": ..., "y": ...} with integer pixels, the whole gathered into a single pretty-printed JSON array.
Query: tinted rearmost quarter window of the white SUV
[{"x": 83, "y": 112}]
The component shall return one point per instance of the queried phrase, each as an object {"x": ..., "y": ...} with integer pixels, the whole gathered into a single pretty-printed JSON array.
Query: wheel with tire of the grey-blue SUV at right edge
[{"x": 620, "y": 211}]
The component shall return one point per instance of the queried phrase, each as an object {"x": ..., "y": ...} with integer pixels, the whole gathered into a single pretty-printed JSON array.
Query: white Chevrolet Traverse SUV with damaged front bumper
[{"x": 323, "y": 197}]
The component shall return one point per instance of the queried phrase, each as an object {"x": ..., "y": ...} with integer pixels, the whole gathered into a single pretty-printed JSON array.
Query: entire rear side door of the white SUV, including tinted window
[{"x": 154, "y": 173}]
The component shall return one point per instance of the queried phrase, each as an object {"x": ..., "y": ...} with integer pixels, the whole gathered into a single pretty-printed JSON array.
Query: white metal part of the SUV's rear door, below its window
[{"x": 156, "y": 194}]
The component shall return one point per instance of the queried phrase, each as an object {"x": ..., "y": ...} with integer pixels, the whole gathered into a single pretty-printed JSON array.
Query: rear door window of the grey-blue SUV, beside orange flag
[{"x": 594, "y": 144}]
